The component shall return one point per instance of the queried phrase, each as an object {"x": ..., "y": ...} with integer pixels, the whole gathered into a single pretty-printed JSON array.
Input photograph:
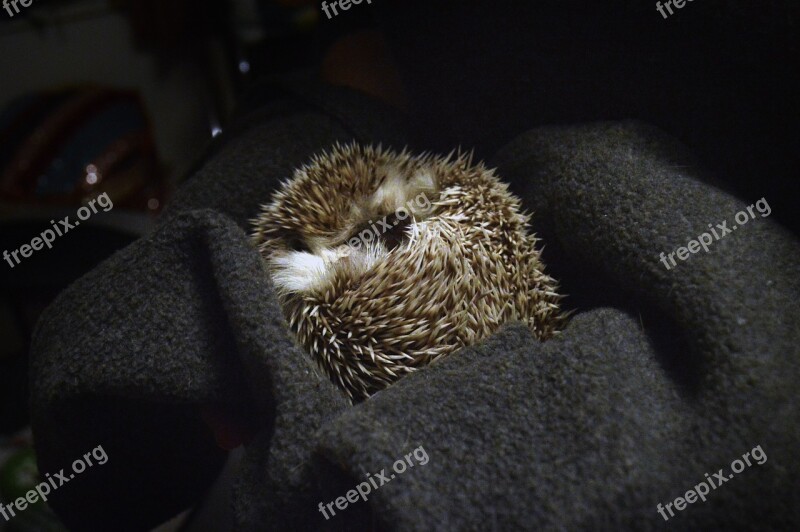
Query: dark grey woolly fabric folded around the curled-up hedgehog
[{"x": 661, "y": 376}]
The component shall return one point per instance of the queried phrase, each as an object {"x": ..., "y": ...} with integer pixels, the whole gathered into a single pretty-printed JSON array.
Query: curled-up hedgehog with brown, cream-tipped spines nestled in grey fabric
[{"x": 385, "y": 262}]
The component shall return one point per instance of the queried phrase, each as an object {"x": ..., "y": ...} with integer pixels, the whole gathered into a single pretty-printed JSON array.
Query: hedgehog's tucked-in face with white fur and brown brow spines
[{"x": 354, "y": 226}]
